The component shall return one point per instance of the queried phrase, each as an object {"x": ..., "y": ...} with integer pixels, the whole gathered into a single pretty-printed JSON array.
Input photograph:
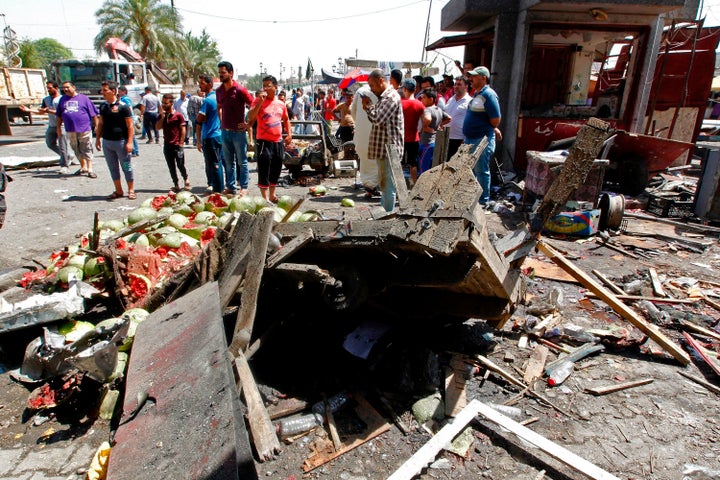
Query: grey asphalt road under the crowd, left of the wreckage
[{"x": 47, "y": 210}]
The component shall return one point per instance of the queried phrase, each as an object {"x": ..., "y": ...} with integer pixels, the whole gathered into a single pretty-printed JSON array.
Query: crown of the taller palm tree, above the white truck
[{"x": 152, "y": 29}]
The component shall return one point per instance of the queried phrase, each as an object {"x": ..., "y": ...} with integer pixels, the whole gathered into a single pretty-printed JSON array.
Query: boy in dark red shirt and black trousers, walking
[{"x": 173, "y": 125}]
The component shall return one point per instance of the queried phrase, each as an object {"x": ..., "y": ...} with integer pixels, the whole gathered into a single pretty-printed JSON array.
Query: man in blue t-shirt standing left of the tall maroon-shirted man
[{"x": 209, "y": 136}]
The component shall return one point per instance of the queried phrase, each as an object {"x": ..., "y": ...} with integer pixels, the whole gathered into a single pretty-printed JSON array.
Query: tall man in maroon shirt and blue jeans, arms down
[{"x": 232, "y": 99}]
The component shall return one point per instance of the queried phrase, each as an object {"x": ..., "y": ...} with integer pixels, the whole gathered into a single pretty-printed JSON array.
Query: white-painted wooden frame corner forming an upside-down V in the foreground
[{"x": 430, "y": 450}]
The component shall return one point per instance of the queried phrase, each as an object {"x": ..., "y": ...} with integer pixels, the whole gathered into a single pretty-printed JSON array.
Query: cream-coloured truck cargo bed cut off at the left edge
[{"x": 19, "y": 86}]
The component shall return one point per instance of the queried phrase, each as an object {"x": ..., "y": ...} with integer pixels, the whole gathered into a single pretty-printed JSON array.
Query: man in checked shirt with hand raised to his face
[{"x": 386, "y": 117}]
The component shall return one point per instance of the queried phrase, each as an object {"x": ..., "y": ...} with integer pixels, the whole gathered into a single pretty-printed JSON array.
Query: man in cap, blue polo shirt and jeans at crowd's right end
[{"x": 481, "y": 120}]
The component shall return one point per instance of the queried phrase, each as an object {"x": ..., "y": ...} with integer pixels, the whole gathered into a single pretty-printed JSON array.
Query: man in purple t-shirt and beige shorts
[{"x": 79, "y": 116}]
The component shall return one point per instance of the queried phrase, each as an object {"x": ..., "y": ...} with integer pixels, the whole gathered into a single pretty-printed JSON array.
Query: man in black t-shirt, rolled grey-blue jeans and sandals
[{"x": 115, "y": 128}]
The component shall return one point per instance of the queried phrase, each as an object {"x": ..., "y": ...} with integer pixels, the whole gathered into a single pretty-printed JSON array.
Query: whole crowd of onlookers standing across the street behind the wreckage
[{"x": 224, "y": 122}]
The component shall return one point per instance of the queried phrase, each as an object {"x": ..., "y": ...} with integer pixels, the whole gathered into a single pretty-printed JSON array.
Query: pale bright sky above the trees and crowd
[{"x": 288, "y": 34}]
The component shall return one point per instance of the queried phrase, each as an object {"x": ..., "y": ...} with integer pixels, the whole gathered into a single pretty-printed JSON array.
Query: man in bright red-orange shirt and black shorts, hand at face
[{"x": 271, "y": 115}]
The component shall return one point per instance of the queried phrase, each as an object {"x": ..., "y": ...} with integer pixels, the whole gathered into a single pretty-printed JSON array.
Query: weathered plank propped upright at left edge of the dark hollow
[{"x": 251, "y": 286}]
